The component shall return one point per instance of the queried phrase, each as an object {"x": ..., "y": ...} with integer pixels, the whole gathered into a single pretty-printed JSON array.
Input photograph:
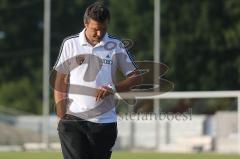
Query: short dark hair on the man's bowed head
[{"x": 98, "y": 12}]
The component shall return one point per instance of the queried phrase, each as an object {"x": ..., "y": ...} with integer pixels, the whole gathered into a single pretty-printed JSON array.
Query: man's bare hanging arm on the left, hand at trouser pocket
[{"x": 61, "y": 93}]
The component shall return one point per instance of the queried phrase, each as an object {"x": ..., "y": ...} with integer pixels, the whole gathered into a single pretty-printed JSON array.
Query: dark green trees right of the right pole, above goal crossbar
[{"x": 199, "y": 43}]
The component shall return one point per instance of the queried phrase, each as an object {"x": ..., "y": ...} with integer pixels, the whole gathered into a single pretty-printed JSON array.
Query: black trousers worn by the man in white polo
[{"x": 81, "y": 139}]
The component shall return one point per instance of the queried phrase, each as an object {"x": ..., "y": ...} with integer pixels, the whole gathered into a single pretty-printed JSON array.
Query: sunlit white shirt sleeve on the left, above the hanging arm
[{"x": 62, "y": 63}]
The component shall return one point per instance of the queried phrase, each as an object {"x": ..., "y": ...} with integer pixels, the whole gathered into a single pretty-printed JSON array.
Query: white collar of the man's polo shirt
[{"x": 83, "y": 41}]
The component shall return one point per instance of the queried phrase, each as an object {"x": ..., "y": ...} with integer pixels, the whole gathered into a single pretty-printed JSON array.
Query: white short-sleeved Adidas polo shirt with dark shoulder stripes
[{"x": 99, "y": 70}]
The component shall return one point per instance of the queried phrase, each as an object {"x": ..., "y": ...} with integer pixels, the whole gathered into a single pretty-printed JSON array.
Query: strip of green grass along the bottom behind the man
[{"x": 117, "y": 155}]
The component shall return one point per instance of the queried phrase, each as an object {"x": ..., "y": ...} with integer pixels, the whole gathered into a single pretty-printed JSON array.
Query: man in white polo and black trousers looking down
[{"x": 85, "y": 87}]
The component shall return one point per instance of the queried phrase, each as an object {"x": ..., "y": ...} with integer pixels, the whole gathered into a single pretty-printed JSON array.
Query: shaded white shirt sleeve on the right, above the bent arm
[{"x": 125, "y": 62}]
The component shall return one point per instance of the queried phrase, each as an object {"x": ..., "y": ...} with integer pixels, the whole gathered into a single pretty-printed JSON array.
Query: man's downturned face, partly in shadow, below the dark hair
[{"x": 95, "y": 31}]
